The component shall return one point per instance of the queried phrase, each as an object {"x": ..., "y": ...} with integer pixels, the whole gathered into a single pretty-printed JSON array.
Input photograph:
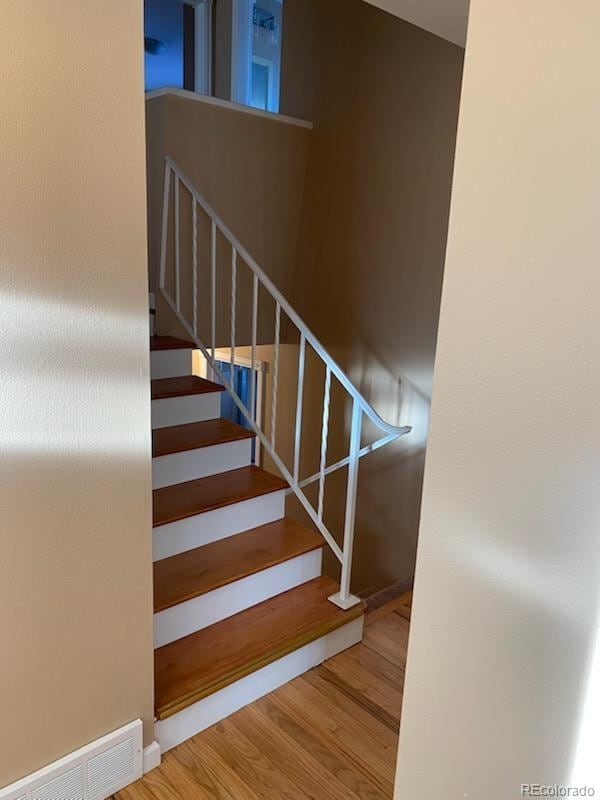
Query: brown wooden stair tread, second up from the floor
[{"x": 196, "y": 572}]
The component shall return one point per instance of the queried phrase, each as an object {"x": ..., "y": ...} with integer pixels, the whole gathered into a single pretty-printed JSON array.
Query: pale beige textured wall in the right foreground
[{"x": 503, "y": 666}]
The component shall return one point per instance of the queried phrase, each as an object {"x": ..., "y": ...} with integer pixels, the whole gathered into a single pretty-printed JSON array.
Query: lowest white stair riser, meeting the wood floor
[{"x": 187, "y": 723}]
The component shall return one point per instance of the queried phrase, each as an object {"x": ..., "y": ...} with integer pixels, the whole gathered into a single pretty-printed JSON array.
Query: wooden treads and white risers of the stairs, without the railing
[{"x": 240, "y": 604}]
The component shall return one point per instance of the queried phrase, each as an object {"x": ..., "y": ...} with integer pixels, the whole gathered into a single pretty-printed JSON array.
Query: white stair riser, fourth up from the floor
[{"x": 199, "y": 463}]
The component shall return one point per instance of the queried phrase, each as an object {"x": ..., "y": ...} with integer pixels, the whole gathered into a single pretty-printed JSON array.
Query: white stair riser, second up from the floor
[{"x": 193, "y": 615}]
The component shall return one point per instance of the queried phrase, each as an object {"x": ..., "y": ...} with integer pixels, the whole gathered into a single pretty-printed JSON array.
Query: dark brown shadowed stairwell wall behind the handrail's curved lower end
[{"x": 383, "y": 96}]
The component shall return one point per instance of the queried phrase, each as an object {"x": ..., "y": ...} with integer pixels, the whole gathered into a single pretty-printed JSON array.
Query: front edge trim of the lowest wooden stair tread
[{"x": 295, "y": 643}]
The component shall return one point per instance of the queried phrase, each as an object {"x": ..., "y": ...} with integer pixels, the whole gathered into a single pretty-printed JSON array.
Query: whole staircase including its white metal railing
[{"x": 240, "y": 604}]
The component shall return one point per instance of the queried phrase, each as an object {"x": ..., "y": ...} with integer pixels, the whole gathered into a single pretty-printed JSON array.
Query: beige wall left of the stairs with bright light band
[{"x": 75, "y": 543}]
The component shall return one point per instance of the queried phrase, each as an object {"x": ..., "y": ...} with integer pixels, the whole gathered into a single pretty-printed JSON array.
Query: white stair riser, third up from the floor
[{"x": 187, "y": 534}]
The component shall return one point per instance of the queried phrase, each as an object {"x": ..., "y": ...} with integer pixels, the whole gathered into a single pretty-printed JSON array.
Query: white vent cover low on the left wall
[{"x": 94, "y": 772}]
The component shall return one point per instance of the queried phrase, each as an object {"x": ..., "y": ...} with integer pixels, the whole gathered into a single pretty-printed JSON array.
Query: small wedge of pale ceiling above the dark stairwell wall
[{"x": 445, "y": 18}]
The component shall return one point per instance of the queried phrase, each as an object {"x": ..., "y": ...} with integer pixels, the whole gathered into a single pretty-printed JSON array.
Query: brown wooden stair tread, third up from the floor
[{"x": 172, "y": 503}]
